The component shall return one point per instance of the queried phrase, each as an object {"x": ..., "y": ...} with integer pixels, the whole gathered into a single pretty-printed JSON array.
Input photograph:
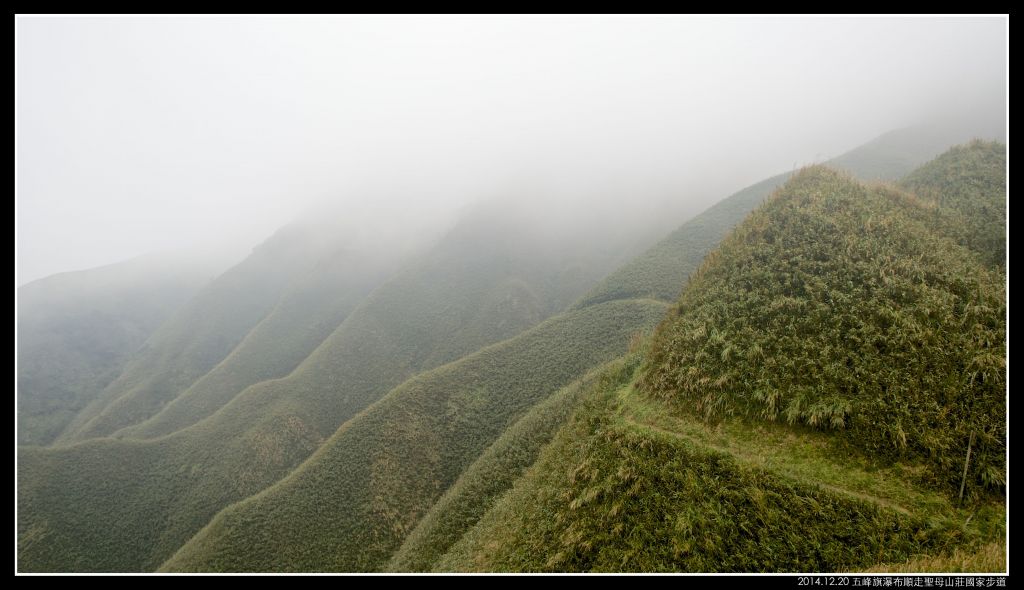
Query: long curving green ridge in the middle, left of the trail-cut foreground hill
[{"x": 382, "y": 471}]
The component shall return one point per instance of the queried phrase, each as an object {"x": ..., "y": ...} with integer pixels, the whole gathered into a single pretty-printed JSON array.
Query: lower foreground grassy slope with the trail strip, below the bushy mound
[{"x": 631, "y": 485}]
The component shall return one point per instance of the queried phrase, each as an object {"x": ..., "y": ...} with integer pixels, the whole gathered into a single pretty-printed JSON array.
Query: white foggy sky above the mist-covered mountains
[{"x": 142, "y": 135}]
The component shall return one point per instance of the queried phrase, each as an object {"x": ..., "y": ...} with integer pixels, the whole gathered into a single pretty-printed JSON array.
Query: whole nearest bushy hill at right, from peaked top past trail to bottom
[{"x": 830, "y": 364}]
